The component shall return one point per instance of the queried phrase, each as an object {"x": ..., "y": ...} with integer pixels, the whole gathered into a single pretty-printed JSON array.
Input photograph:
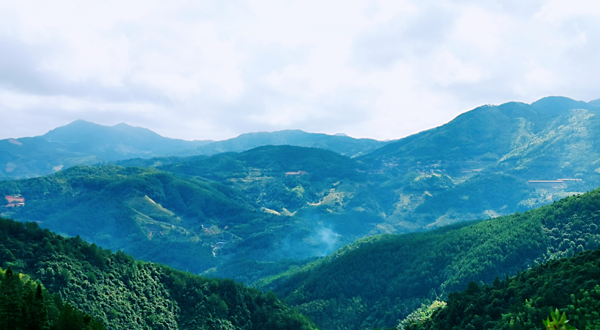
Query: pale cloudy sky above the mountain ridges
[{"x": 200, "y": 70}]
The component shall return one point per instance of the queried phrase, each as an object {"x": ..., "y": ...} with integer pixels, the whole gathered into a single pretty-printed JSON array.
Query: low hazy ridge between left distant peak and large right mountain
[{"x": 339, "y": 143}]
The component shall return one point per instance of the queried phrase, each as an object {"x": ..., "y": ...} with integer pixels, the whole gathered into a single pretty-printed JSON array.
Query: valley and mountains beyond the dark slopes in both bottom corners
[{"x": 355, "y": 233}]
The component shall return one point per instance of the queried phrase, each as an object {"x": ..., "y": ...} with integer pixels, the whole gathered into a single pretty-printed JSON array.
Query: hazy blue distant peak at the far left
[{"x": 82, "y": 142}]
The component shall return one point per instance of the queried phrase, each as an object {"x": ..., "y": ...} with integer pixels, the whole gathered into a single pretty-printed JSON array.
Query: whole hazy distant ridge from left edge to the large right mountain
[{"x": 86, "y": 143}]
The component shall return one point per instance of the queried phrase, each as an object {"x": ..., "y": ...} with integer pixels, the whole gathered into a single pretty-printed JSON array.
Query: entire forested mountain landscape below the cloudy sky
[{"x": 435, "y": 230}]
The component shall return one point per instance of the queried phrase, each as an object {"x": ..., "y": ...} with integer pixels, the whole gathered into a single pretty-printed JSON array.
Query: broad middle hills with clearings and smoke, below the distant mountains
[{"x": 262, "y": 206}]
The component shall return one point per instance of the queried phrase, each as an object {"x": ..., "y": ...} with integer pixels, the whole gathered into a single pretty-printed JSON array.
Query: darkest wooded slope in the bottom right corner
[{"x": 571, "y": 285}]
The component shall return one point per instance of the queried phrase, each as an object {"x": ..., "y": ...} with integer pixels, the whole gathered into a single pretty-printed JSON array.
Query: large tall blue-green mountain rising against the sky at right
[{"x": 555, "y": 137}]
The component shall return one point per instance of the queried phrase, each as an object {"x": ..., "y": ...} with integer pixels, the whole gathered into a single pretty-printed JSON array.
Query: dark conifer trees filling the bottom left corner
[{"x": 27, "y": 305}]
